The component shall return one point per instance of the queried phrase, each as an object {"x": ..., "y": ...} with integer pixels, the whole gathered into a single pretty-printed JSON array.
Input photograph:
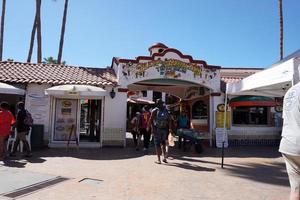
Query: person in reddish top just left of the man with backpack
[{"x": 144, "y": 120}]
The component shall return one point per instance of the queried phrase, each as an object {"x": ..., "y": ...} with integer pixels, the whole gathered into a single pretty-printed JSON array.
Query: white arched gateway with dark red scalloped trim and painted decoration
[{"x": 169, "y": 73}]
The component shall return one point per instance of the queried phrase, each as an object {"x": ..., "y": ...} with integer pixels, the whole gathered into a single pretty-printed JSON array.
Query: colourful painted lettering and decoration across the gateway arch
[{"x": 166, "y": 69}]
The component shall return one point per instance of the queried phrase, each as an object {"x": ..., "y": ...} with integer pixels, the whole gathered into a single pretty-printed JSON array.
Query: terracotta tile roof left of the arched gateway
[{"x": 17, "y": 72}]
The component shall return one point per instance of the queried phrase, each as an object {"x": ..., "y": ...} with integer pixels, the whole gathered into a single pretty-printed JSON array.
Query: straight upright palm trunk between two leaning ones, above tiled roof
[{"x": 38, "y": 29}]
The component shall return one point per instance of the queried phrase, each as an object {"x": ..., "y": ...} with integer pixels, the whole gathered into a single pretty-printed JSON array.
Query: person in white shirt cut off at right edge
[{"x": 290, "y": 141}]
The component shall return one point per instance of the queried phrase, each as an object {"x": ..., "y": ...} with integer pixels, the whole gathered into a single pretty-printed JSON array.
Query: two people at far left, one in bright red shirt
[{"x": 8, "y": 123}]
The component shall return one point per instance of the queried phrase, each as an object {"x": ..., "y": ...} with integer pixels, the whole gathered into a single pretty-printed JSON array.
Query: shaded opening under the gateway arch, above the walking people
[{"x": 179, "y": 95}]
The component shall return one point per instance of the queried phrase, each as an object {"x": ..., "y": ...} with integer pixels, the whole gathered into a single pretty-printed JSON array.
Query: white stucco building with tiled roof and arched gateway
[{"x": 97, "y": 117}]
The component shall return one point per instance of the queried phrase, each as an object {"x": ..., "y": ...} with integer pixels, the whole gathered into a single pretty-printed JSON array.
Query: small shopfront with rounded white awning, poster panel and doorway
[{"x": 77, "y": 114}]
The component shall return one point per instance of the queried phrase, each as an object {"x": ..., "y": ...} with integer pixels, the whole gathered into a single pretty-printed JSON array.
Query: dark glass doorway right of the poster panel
[{"x": 90, "y": 120}]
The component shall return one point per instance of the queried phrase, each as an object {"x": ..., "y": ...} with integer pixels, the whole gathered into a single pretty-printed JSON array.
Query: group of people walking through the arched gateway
[{"x": 159, "y": 123}]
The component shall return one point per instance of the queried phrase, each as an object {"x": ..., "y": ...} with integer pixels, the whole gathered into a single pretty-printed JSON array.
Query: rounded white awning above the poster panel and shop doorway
[{"x": 76, "y": 91}]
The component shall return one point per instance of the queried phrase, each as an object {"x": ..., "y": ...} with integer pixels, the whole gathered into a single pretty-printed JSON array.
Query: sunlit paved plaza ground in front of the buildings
[{"x": 252, "y": 173}]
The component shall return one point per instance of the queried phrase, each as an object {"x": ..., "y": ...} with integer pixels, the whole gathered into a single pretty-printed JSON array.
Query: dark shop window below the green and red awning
[{"x": 250, "y": 115}]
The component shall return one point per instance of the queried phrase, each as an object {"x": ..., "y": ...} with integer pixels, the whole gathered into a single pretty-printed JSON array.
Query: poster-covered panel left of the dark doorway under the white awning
[{"x": 65, "y": 118}]
